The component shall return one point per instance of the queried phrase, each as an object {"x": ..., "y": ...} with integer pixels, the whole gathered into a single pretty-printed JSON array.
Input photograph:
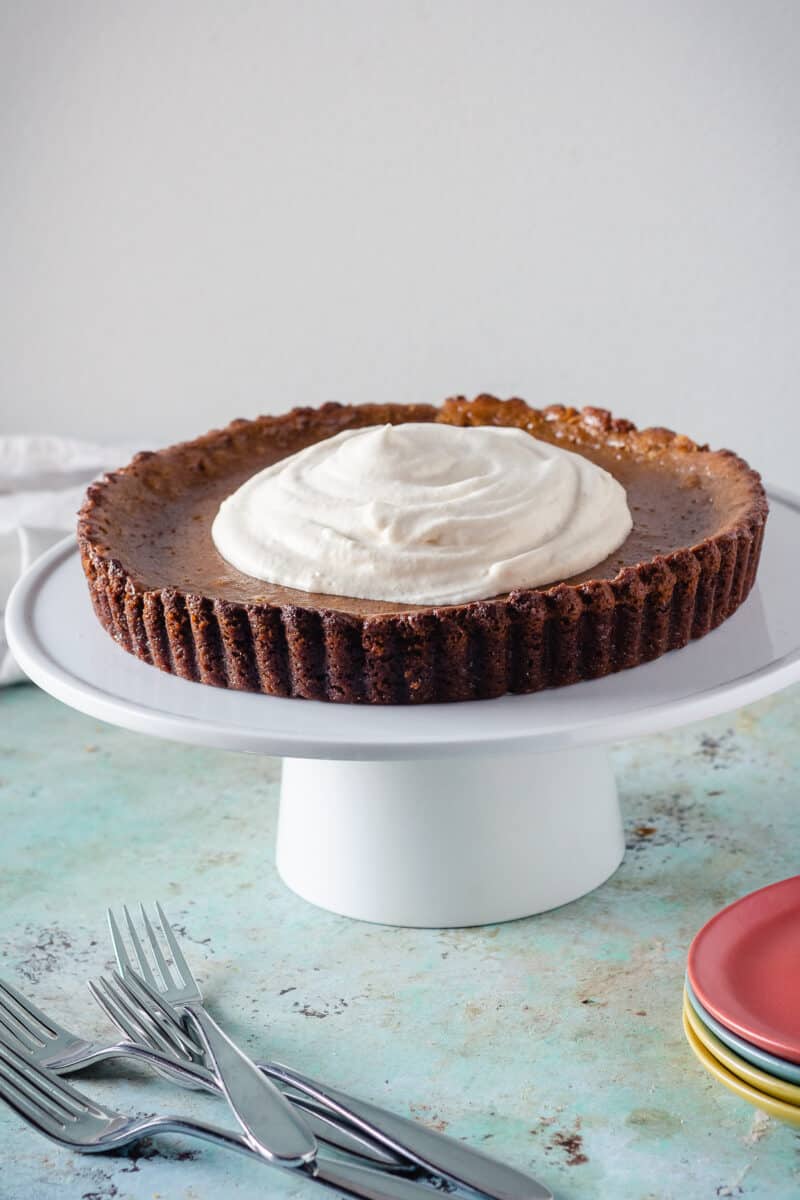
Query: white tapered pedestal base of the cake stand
[{"x": 449, "y": 842}]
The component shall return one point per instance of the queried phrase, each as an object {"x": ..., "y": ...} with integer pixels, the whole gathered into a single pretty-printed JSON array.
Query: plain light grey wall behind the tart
[{"x": 216, "y": 209}]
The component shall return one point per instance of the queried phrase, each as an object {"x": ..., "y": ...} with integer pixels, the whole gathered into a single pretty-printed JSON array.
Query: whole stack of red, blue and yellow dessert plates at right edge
[{"x": 742, "y": 1001}]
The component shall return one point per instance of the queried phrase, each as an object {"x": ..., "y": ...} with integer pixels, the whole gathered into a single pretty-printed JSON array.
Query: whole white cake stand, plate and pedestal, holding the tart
[{"x": 440, "y": 814}]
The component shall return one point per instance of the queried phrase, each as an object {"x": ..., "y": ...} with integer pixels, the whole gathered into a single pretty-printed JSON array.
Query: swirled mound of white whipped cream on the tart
[{"x": 424, "y": 514}]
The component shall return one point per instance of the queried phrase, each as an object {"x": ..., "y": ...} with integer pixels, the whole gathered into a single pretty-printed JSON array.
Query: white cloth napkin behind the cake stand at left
[{"x": 43, "y": 484}]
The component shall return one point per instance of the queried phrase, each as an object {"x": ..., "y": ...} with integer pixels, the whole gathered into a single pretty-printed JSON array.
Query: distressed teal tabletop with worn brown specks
[{"x": 554, "y": 1042}]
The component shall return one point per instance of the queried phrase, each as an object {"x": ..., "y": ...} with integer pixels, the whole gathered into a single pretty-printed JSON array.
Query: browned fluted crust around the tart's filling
[{"x": 524, "y": 643}]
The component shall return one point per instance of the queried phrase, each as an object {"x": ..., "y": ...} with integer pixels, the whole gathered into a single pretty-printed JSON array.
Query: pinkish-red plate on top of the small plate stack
[{"x": 744, "y": 967}]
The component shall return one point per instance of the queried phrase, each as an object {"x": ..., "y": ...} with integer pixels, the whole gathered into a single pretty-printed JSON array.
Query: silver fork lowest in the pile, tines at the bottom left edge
[{"x": 69, "y": 1118}]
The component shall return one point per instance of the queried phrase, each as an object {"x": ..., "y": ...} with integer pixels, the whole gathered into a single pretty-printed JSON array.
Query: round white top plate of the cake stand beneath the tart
[{"x": 58, "y": 641}]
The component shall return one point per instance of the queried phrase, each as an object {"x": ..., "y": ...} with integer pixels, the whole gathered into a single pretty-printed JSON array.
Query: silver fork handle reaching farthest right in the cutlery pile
[{"x": 435, "y": 1153}]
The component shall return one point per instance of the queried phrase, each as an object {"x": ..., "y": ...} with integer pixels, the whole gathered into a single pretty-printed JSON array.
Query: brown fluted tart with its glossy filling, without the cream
[{"x": 163, "y": 591}]
